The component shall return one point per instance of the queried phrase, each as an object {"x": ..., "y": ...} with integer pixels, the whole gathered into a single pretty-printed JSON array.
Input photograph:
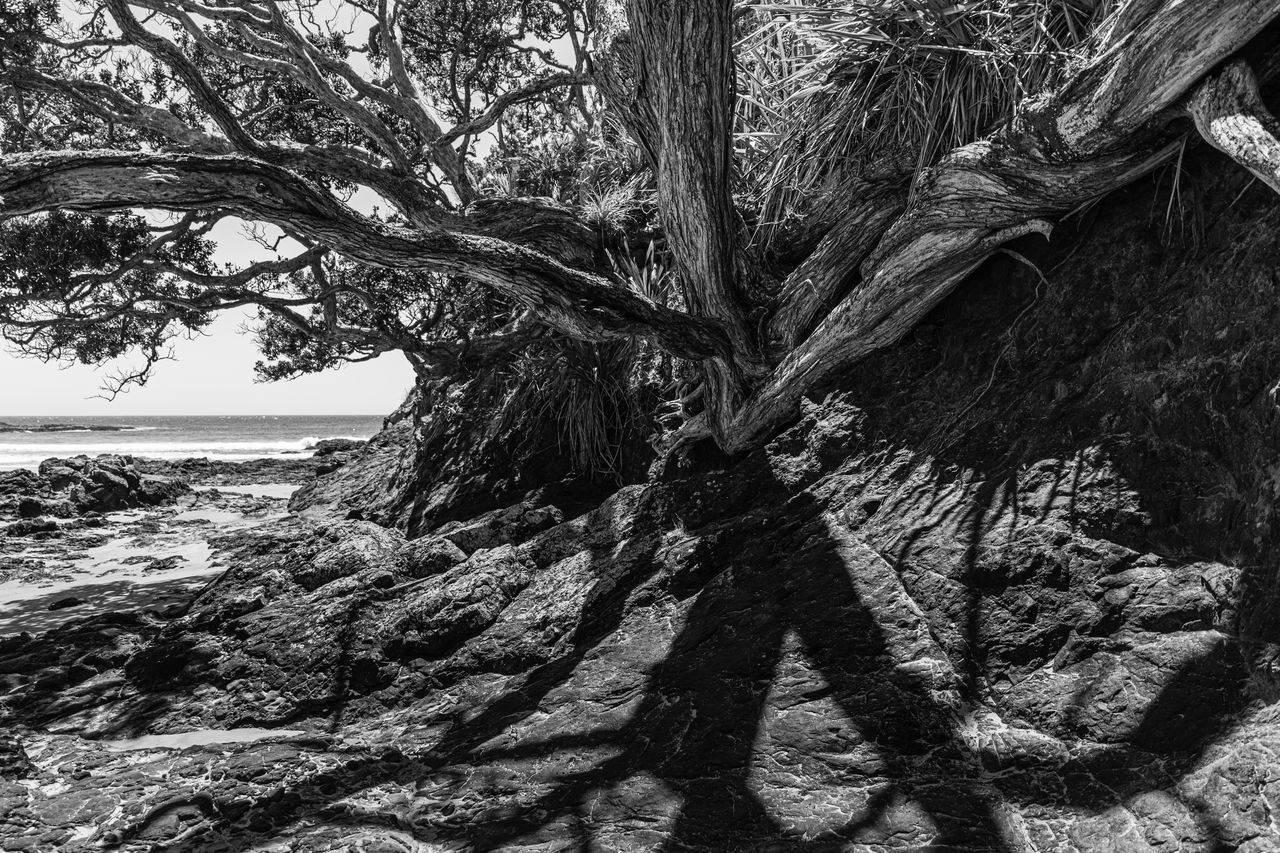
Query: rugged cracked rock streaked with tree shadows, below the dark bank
[{"x": 671, "y": 668}]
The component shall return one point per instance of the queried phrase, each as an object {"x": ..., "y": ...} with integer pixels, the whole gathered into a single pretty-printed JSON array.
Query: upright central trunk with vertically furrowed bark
[{"x": 671, "y": 79}]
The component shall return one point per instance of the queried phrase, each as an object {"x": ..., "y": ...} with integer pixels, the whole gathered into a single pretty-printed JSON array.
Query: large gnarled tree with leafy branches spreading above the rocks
[{"x": 813, "y": 204}]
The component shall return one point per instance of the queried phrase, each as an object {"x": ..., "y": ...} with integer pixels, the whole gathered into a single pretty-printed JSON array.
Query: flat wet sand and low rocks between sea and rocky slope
[{"x": 144, "y": 550}]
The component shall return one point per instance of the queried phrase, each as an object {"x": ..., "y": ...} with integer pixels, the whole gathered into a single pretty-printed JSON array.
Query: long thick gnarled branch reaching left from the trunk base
[{"x": 569, "y": 300}]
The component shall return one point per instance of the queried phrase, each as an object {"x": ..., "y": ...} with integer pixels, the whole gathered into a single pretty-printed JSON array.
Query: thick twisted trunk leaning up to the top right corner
[{"x": 1095, "y": 135}]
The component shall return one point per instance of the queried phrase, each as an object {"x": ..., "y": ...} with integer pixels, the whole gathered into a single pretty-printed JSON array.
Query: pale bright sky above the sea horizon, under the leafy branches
[{"x": 212, "y": 376}]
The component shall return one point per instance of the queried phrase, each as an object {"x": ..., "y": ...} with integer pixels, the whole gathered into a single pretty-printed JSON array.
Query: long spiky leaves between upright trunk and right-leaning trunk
[{"x": 872, "y": 90}]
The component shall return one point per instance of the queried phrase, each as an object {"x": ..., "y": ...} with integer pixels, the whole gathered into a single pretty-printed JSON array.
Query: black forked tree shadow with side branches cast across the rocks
[{"x": 698, "y": 727}]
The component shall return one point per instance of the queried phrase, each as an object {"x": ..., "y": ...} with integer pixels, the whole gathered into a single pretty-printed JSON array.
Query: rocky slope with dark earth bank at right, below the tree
[{"x": 1012, "y": 587}]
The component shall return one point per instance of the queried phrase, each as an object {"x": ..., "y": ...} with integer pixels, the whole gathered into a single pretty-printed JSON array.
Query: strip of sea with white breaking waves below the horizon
[{"x": 227, "y": 437}]
